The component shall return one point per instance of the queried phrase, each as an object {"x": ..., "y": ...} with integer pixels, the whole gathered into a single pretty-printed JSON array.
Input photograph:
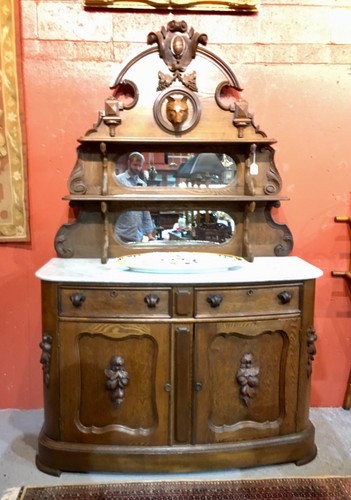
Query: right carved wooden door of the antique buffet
[{"x": 247, "y": 373}]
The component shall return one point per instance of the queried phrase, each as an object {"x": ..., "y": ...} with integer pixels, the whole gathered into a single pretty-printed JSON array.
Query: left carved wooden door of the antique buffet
[{"x": 114, "y": 380}]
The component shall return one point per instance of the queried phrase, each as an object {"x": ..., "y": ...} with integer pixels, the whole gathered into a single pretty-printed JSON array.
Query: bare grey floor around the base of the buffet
[{"x": 18, "y": 443}]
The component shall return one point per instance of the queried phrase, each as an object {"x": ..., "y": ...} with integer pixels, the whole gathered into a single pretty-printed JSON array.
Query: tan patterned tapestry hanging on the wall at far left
[{"x": 14, "y": 218}]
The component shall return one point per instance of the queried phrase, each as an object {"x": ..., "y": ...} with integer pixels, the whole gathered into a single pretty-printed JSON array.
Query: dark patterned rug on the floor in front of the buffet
[{"x": 332, "y": 488}]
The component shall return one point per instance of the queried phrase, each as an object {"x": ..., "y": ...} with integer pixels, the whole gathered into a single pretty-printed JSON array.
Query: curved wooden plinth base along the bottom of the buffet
[{"x": 55, "y": 457}]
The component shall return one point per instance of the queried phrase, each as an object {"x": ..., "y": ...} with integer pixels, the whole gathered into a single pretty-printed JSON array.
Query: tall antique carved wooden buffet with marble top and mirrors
[{"x": 192, "y": 359}]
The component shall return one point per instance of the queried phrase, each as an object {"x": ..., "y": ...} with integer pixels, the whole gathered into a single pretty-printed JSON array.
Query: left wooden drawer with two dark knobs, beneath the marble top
[{"x": 112, "y": 302}]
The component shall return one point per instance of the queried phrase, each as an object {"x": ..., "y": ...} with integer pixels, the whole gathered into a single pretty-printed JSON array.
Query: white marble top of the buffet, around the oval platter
[{"x": 263, "y": 269}]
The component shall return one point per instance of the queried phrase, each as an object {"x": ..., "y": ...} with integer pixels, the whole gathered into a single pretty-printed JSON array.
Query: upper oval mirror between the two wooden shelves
[{"x": 205, "y": 170}]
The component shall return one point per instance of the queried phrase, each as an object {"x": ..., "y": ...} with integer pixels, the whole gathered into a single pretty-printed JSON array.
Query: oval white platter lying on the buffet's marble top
[{"x": 180, "y": 262}]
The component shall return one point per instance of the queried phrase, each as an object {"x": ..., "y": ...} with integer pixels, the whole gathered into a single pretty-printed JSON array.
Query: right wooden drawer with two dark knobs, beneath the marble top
[{"x": 243, "y": 301}]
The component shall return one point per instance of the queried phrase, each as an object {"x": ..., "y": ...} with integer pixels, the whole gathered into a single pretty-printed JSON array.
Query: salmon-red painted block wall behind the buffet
[{"x": 294, "y": 62}]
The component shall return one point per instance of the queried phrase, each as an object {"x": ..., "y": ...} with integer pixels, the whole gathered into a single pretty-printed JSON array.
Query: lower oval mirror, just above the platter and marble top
[{"x": 189, "y": 227}]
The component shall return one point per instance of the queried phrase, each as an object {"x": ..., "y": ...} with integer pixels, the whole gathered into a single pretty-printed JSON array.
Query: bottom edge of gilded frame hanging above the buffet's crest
[{"x": 237, "y": 6}]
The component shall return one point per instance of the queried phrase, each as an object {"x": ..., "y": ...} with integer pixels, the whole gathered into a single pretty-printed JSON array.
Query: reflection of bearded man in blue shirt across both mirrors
[{"x": 133, "y": 225}]
